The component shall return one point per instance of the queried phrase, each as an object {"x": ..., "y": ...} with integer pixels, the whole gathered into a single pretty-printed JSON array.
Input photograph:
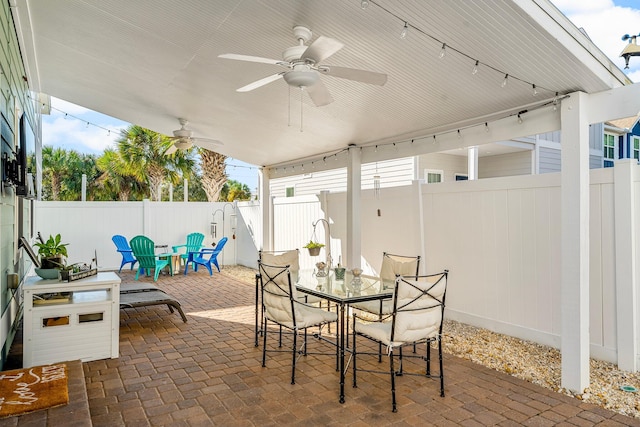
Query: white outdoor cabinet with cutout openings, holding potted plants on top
[{"x": 71, "y": 320}]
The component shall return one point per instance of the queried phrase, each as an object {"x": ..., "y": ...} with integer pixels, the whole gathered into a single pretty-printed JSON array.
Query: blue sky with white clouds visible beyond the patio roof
[{"x": 605, "y": 21}]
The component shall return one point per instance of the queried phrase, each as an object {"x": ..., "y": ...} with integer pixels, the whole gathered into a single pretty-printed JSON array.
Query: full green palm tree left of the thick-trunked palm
[{"x": 143, "y": 151}]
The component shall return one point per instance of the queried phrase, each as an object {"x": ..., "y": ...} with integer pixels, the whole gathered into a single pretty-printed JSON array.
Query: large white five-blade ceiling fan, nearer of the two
[{"x": 304, "y": 65}]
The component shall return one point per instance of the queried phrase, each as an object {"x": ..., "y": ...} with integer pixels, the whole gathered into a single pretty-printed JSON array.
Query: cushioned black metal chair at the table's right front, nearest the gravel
[{"x": 416, "y": 317}]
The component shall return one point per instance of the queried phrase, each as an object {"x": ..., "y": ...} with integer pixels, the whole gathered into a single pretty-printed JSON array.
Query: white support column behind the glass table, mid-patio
[{"x": 354, "y": 196}]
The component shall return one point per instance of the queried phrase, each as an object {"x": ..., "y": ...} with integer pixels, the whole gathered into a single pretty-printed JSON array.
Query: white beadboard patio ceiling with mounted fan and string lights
[{"x": 150, "y": 62}]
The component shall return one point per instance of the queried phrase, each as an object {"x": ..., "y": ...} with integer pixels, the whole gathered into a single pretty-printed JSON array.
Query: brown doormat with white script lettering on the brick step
[{"x": 32, "y": 389}]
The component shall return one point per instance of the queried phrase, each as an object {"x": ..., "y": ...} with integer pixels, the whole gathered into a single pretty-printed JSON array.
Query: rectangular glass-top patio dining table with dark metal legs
[{"x": 343, "y": 292}]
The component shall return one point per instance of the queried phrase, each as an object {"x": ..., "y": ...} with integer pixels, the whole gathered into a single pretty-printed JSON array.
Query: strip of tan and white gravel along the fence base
[{"x": 529, "y": 361}]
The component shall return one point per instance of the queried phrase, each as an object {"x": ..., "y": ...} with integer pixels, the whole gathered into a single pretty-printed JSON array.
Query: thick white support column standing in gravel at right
[{"x": 574, "y": 195}]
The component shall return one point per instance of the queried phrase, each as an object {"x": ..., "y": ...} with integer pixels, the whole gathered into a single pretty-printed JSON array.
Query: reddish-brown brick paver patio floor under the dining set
[{"x": 208, "y": 372}]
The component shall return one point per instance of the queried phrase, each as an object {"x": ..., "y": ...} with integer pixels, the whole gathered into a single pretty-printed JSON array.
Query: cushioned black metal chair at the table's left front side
[{"x": 281, "y": 305}]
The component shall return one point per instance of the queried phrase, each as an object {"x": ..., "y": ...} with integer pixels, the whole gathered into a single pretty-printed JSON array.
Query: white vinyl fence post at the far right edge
[{"x": 625, "y": 235}]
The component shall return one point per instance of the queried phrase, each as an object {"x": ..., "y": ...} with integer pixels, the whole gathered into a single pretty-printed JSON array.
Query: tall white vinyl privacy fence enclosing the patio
[{"x": 499, "y": 238}]
